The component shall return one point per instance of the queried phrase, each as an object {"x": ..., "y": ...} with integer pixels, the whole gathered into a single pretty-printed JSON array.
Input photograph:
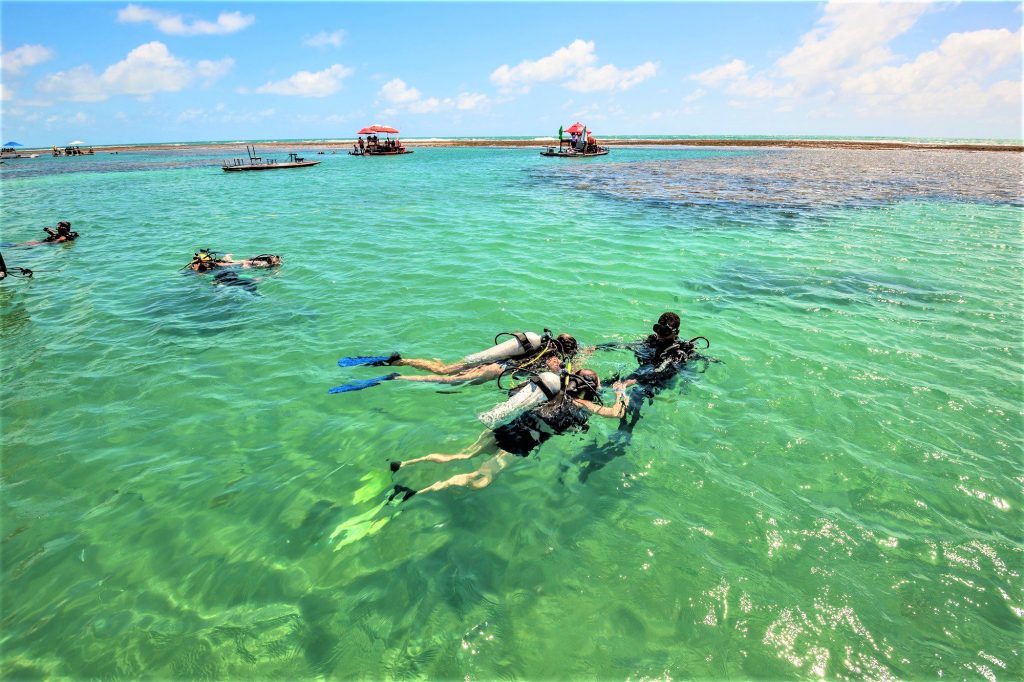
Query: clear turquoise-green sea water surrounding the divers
[{"x": 840, "y": 496}]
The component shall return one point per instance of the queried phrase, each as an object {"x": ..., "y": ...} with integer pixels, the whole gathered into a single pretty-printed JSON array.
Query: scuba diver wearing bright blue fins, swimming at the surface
[{"x": 525, "y": 352}]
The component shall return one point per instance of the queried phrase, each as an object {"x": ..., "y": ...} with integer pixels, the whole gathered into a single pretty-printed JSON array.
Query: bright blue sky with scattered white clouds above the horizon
[{"x": 135, "y": 72}]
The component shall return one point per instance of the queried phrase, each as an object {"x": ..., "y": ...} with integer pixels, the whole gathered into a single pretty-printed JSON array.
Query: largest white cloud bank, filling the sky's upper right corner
[{"x": 846, "y": 62}]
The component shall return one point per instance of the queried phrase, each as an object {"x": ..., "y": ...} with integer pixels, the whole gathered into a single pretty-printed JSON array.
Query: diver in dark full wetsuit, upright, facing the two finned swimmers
[{"x": 661, "y": 357}]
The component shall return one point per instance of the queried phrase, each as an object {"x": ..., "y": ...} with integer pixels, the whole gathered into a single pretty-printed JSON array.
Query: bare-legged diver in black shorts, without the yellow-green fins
[{"x": 571, "y": 402}]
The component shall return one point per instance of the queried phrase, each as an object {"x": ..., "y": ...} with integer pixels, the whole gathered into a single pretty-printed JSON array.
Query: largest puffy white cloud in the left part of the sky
[{"x": 147, "y": 70}]
